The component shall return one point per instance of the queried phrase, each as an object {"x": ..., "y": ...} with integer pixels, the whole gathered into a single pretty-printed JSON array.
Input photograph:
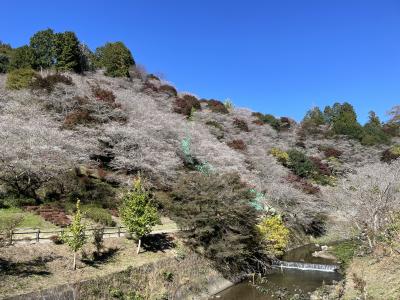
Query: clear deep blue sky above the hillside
[{"x": 280, "y": 57}]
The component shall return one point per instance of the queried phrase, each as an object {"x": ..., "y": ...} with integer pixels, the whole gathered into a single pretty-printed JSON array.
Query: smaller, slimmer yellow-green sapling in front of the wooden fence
[{"x": 75, "y": 236}]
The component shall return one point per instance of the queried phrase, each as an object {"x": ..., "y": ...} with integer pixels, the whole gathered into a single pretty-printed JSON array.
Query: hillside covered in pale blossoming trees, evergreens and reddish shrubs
[{"x": 81, "y": 124}]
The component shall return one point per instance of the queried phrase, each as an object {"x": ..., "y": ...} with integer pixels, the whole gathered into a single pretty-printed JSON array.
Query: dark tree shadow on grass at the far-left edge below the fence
[{"x": 35, "y": 266}]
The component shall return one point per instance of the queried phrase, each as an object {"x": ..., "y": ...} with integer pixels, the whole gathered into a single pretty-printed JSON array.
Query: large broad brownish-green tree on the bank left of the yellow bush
[{"x": 218, "y": 219}]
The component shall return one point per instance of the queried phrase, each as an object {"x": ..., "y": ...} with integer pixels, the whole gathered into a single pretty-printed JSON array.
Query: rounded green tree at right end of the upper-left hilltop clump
[{"x": 116, "y": 58}]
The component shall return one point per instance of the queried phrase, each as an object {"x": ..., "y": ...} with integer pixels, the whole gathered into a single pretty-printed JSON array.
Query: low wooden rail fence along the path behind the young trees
[{"x": 33, "y": 235}]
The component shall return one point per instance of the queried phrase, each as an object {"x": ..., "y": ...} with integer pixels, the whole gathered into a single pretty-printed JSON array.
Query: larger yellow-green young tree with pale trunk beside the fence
[{"x": 138, "y": 213}]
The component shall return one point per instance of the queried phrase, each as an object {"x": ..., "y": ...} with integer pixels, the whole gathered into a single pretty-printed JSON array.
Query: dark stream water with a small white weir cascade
[{"x": 284, "y": 283}]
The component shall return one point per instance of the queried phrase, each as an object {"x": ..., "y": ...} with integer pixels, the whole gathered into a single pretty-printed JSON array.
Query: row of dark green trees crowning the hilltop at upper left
[{"x": 63, "y": 52}]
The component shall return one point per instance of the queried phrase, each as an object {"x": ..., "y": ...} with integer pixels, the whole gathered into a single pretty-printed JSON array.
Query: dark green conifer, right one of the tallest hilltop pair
[{"x": 67, "y": 52}]
